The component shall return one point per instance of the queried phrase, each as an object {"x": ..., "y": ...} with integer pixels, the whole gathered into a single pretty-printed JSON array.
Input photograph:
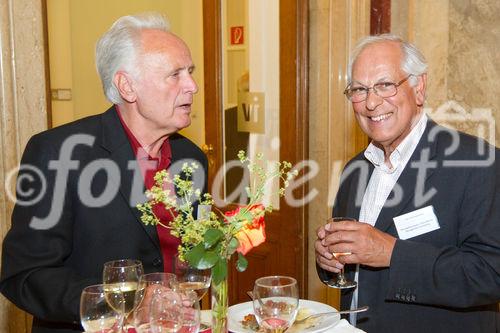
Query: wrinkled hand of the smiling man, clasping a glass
[{"x": 367, "y": 245}]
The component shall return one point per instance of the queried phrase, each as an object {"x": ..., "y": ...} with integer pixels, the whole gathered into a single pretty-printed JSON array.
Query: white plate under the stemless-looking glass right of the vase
[{"x": 238, "y": 311}]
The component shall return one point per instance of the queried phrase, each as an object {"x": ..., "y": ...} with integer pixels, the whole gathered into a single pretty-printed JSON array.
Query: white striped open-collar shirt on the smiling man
[{"x": 382, "y": 182}]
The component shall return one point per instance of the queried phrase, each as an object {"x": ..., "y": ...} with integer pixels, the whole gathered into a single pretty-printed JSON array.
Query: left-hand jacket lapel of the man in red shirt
[{"x": 131, "y": 187}]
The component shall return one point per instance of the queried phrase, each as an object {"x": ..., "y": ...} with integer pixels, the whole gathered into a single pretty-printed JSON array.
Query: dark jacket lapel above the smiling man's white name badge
[{"x": 410, "y": 179}]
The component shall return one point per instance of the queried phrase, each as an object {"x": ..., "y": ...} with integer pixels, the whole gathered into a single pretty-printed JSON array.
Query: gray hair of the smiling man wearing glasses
[{"x": 413, "y": 60}]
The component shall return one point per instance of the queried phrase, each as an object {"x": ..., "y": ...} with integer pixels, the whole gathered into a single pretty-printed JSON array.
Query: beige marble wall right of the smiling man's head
[{"x": 461, "y": 41}]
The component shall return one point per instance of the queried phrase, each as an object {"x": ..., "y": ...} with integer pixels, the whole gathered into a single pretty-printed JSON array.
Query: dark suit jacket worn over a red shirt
[{"x": 44, "y": 270}]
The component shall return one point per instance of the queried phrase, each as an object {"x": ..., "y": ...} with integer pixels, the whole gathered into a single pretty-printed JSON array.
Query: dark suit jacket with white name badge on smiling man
[{"x": 447, "y": 280}]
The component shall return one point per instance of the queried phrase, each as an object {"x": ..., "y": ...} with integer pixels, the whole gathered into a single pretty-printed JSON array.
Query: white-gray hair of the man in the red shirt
[{"x": 118, "y": 48}]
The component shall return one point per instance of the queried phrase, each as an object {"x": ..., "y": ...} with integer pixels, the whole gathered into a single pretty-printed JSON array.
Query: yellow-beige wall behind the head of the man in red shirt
[{"x": 75, "y": 26}]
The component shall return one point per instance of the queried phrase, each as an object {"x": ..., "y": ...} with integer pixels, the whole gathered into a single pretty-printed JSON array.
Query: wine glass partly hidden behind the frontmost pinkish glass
[{"x": 149, "y": 285}]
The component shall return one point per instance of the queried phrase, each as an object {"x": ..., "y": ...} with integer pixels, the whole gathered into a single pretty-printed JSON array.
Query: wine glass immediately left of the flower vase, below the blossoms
[{"x": 190, "y": 278}]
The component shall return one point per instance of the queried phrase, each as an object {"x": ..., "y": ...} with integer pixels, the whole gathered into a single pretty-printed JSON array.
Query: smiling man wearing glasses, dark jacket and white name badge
[{"x": 425, "y": 249}]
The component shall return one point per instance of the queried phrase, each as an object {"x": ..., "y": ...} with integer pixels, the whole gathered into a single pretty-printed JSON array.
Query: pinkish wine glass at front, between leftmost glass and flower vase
[{"x": 174, "y": 311}]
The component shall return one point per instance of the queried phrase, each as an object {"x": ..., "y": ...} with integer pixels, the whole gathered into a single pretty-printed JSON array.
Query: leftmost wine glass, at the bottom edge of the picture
[{"x": 96, "y": 313}]
